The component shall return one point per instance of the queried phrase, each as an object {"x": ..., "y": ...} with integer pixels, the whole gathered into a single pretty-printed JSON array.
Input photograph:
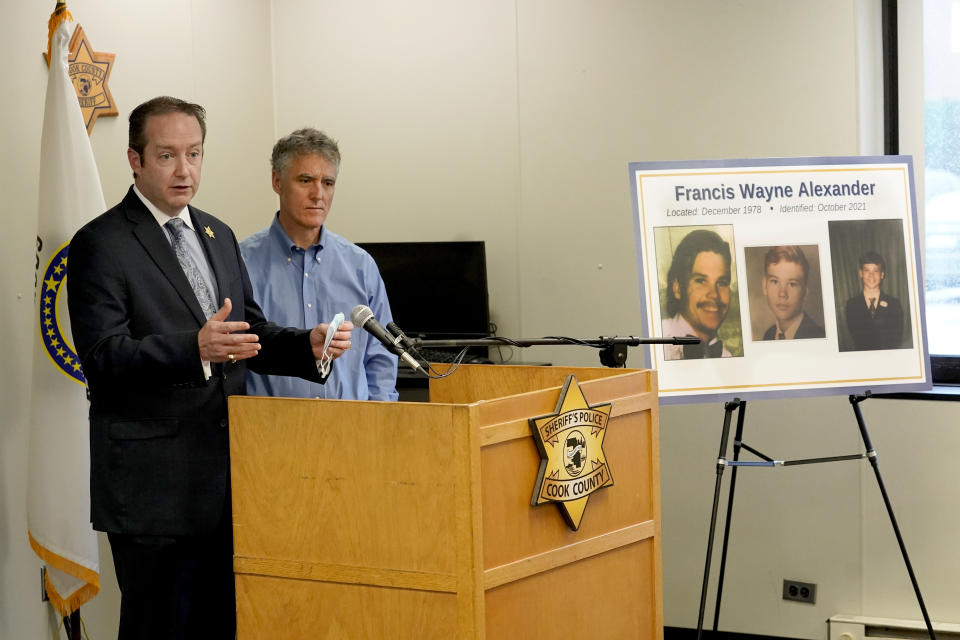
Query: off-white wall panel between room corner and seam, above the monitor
[{"x": 423, "y": 99}]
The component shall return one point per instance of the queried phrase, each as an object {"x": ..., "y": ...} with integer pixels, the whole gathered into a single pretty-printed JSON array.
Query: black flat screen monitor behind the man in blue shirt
[{"x": 437, "y": 290}]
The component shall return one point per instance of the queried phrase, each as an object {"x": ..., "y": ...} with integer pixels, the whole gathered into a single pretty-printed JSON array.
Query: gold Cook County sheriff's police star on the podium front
[{"x": 570, "y": 442}]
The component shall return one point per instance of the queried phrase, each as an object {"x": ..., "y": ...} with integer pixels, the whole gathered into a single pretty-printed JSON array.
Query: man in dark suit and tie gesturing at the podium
[{"x": 145, "y": 282}]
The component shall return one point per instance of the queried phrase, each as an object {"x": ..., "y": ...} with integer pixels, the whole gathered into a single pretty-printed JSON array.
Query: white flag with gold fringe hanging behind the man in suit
[{"x": 58, "y": 499}]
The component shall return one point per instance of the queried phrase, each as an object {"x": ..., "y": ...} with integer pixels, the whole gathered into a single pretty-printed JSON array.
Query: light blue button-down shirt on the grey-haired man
[{"x": 302, "y": 288}]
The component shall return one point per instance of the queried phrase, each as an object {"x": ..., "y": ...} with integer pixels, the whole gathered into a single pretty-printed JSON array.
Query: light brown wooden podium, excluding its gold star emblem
[{"x": 413, "y": 520}]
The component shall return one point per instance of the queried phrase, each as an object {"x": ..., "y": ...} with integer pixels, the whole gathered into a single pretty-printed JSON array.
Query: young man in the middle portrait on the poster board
[{"x": 785, "y": 278}]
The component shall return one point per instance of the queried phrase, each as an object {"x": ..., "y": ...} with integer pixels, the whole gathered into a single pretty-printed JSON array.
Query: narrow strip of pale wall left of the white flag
[{"x": 21, "y": 612}]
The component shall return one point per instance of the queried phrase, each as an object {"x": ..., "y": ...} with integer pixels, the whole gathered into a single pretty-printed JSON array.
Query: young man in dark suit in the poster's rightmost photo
[{"x": 874, "y": 318}]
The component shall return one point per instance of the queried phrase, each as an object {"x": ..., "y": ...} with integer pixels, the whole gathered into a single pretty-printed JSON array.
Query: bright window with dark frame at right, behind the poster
[{"x": 925, "y": 122}]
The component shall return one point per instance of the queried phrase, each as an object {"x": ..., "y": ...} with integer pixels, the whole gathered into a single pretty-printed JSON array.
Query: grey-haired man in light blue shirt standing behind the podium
[{"x": 304, "y": 274}]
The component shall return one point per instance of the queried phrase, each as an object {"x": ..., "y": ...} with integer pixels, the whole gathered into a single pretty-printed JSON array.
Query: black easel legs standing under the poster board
[{"x": 740, "y": 406}]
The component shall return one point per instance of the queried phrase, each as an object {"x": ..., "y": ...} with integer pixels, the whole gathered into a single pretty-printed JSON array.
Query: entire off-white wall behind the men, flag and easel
[{"x": 513, "y": 122}]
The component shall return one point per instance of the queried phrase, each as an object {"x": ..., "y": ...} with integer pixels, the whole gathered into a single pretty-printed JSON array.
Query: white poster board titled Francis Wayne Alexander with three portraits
[{"x": 801, "y": 276}]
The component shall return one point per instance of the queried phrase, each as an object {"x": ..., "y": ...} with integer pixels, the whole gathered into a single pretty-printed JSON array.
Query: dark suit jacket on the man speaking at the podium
[{"x": 159, "y": 449}]
